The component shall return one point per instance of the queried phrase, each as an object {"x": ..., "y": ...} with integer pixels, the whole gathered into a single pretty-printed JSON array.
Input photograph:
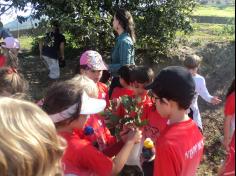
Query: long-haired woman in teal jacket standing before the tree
[{"x": 123, "y": 52}]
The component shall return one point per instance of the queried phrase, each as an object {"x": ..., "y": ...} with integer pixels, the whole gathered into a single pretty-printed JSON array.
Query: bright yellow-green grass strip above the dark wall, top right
[{"x": 217, "y": 11}]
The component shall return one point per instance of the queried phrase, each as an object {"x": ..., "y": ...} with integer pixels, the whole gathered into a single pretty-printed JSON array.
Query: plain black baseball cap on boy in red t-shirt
[{"x": 174, "y": 83}]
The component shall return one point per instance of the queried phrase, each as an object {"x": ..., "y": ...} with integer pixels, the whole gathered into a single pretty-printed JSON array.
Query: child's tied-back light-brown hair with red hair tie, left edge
[{"x": 12, "y": 82}]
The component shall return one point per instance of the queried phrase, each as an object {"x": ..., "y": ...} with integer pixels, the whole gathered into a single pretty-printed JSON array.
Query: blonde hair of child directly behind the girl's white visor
[{"x": 86, "y": 85}]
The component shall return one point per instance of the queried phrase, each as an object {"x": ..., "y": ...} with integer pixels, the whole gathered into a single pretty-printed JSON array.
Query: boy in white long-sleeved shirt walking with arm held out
[{"x": 192, "y": 63}]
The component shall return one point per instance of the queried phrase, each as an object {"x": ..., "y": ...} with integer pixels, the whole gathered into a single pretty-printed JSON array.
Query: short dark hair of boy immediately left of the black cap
[{"x": 142, "y": 74}]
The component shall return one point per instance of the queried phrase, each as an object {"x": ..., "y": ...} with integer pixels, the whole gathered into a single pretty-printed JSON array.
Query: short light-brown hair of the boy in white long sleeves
[{"x": 192, "y": 61}]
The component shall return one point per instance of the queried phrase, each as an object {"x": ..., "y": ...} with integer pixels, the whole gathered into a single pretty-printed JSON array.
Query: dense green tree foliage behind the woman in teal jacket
[{"x": 88, "y": 22}]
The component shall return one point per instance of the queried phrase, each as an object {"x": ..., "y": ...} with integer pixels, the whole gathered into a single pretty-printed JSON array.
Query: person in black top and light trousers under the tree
[{"x": 51, "y": 49}]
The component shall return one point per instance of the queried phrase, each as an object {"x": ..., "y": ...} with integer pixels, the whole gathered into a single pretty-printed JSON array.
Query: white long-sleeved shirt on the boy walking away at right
[{"x": 201, "y": 90}]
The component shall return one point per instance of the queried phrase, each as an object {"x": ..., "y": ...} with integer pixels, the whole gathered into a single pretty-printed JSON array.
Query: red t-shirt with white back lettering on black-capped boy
[{"x": 179, "y": 150}]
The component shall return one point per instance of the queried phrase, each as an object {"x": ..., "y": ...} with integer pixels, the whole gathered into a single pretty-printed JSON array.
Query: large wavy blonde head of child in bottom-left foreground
[{"x": 29, "y": 144}]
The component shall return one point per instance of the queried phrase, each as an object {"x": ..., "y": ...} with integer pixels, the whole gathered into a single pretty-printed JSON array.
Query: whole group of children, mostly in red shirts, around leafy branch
[{"x": 66, "y": 133}]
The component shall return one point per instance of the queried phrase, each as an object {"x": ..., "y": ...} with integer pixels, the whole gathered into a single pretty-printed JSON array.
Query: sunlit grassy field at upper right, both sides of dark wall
[{"x": 210, "y": 32}]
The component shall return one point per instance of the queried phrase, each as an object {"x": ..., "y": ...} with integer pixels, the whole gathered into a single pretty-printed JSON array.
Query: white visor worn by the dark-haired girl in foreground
[{"x": 89, "y": 106}]
